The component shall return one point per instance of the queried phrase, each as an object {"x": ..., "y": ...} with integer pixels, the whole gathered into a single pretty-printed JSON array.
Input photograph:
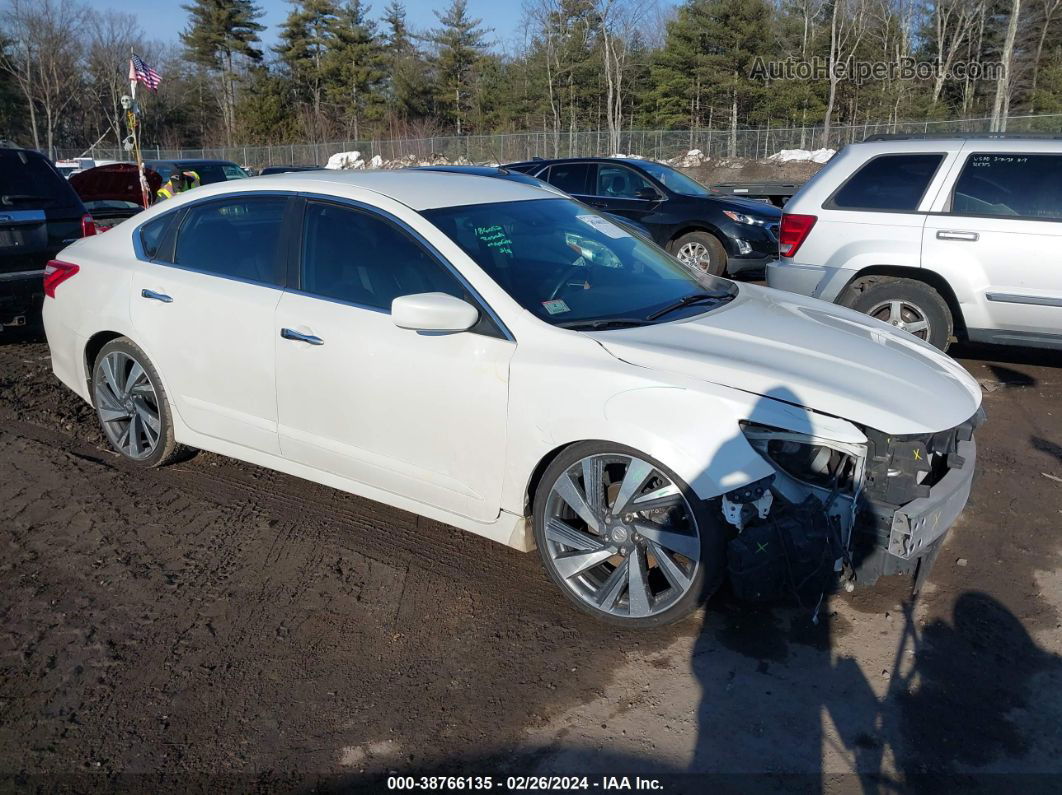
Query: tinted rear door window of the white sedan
[{"x": 238, "y": 238}]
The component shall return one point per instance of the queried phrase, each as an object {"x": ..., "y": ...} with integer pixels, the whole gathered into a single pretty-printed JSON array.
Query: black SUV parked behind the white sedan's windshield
[{"x": 721, "y": 235}]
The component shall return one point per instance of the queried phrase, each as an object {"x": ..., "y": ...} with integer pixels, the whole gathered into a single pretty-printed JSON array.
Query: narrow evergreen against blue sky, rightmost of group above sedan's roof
[{"x": 460, "y": 43}]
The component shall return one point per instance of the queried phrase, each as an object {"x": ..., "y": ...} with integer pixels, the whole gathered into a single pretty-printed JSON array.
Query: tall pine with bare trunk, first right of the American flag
[{"x": 219, "y": 32}]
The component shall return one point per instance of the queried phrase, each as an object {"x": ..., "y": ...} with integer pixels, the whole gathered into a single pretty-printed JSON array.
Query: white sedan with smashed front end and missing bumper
[{"x": 505, "y": 360}]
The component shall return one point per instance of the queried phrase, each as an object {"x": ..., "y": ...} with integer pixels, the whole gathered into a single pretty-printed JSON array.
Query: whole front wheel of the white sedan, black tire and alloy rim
[{"x": 681, "y": 563}]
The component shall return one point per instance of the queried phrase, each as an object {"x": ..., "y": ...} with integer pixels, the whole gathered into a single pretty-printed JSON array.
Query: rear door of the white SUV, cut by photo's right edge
[{"x": 997, "y": 237}]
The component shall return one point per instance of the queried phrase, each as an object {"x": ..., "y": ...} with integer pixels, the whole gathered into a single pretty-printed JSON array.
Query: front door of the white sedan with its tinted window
[{"x": 415, "y": 414}]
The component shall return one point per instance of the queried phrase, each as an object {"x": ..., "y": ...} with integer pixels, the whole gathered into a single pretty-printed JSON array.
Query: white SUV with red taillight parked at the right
[{"x": 943, "y": 237}]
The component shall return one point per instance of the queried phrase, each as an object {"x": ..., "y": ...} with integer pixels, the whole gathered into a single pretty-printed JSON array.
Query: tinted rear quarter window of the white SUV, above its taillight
[{"x": 889, "y": 183}]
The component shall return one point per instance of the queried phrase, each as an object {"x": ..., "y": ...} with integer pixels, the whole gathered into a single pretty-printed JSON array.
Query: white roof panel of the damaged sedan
[{"x": 421, "y": 191}]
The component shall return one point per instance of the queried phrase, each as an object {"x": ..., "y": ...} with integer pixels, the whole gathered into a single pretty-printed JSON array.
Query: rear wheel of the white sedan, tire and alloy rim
[{"x": 134, "y": 407}]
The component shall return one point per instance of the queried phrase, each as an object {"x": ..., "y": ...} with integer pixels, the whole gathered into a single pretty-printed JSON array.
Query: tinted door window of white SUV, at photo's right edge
[{"x": 1010, "y": 185}]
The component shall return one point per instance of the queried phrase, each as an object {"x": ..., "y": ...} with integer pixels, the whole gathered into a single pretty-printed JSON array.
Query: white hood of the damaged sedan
[{"x": 811, "y": 354}]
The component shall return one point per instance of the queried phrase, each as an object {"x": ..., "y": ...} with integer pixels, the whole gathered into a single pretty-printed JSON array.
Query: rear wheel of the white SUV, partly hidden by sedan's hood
[{"x": 905, "y": 304}]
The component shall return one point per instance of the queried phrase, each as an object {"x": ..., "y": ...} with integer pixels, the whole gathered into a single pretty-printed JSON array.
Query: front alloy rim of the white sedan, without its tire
[{"x": 622, "y": 537}]
